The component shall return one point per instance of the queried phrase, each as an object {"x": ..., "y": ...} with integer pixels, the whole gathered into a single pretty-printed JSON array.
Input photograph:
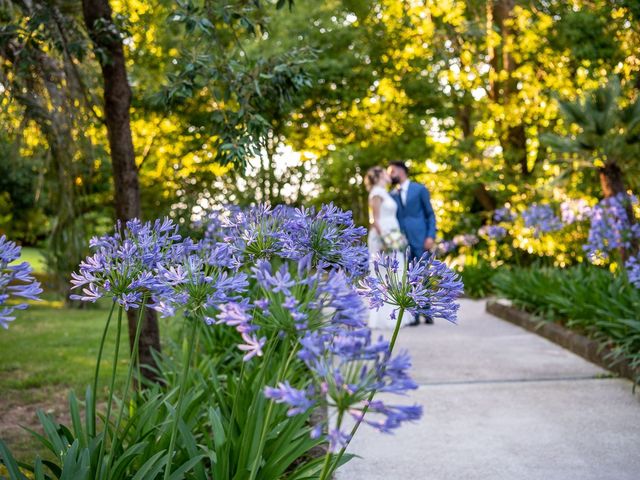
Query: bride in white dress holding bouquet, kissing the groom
[{"x": 384, "y": 235}]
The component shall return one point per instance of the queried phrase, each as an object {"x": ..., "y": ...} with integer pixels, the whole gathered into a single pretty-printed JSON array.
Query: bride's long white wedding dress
[{"x": 388, "y": 222}]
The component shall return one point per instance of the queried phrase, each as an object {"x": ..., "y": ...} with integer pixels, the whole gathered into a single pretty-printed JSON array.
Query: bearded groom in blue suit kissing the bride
[{"x": 415, "y": 214}]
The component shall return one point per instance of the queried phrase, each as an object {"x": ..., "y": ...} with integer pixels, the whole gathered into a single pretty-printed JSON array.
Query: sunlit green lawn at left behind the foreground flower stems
[{"x": 47, "y": 350}]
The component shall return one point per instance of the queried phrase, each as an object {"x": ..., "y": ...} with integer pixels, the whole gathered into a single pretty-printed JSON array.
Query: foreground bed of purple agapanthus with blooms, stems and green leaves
[{"x": 271, "y": 305}]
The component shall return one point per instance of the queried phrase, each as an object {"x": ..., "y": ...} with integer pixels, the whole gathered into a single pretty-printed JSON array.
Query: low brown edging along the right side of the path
[{"x": 591, "y": 350}]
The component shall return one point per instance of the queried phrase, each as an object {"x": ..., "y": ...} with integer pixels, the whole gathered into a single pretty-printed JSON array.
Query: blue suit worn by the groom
[{"x": 416, "y": 217}]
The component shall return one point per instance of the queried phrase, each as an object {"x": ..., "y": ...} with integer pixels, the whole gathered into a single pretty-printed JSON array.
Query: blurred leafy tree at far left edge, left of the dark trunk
[{"x": 43, "y": 81}]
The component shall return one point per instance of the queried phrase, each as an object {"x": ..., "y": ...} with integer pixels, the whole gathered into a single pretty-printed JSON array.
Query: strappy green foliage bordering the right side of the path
[{"x": 586, "y": 298}]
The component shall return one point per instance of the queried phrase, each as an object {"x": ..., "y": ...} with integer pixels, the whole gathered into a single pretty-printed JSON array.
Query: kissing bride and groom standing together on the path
[{"x": 400, "y": 215}]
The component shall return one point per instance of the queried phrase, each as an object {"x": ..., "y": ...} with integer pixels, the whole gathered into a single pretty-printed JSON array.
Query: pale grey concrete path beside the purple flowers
[{"x": 502, "y": 403}]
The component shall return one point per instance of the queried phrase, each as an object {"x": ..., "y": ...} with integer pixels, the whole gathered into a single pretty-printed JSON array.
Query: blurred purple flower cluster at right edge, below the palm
[{"x": 611, "y": 228}]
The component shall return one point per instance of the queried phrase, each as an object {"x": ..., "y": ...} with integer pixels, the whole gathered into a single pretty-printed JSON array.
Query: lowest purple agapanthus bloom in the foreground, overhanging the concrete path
[{"x": 347, "y": 367}]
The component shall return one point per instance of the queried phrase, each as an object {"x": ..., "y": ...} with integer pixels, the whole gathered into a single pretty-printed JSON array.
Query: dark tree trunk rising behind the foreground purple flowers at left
[{"x": 117, "y": 101}]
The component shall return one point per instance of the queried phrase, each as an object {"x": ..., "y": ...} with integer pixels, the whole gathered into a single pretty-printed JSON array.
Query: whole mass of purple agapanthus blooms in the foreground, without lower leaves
[{"x": 286, "y": 276}]
